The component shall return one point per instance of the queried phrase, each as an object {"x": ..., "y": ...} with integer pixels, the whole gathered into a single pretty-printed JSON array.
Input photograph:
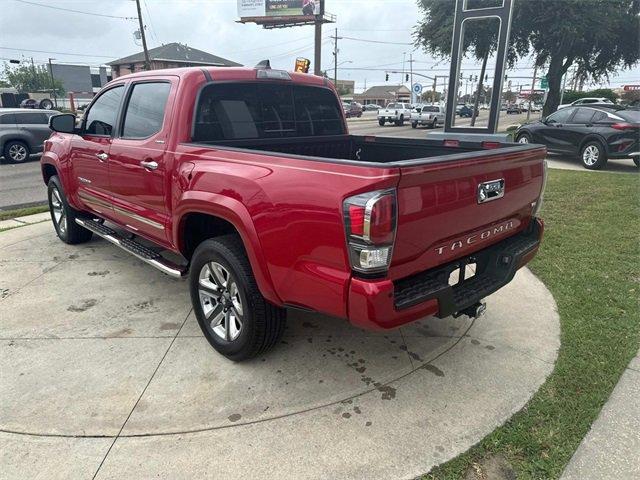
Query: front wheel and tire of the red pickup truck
[{"x": 64, "y": 215}]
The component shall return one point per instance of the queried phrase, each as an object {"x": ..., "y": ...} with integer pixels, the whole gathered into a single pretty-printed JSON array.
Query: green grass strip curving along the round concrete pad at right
[{"x": 590, "y": 261}]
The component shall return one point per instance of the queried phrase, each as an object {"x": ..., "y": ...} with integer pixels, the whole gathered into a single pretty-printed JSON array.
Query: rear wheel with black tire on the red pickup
[{"x": 246, "y": 324}]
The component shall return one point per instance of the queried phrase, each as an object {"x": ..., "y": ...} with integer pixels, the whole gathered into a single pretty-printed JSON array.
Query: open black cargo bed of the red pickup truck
[{"x": 357, "y": 149}]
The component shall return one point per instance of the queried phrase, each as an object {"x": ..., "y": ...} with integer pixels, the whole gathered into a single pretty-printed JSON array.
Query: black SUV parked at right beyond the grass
[{"x": 595, "y": 133}]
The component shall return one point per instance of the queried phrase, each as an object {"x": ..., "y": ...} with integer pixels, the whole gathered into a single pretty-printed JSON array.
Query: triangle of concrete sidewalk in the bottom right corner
[{"x": 611, "y": 449}]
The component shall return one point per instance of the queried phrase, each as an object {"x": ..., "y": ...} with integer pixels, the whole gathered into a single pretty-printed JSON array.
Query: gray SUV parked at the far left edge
[{"x": 23, "y": 132}]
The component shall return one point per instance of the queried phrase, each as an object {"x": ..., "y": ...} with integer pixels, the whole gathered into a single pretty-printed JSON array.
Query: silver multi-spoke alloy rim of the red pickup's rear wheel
[{"x": 220, "y": 301}]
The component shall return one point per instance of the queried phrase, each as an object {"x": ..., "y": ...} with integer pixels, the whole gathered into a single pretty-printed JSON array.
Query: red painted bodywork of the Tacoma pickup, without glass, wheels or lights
[{"x": 288, "y": 209}]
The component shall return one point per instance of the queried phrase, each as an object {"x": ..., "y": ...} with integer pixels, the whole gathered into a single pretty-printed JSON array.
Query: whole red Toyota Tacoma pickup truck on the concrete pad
[{"x": 248, "y": 181}]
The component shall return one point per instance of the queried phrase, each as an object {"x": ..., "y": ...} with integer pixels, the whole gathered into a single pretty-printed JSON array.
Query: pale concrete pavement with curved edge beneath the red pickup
[{"x": 104, "y": 371}]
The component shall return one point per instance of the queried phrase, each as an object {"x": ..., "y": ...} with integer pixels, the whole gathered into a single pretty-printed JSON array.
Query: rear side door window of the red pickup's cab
[{"x": 145, "y": 109}]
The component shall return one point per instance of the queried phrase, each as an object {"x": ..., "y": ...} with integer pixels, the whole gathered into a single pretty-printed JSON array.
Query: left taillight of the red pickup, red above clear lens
[{"x": 370, "y": 221}]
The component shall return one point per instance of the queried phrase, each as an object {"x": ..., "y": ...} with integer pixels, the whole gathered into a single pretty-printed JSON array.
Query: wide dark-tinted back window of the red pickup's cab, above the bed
[{"x": 238, "y": 111}]
